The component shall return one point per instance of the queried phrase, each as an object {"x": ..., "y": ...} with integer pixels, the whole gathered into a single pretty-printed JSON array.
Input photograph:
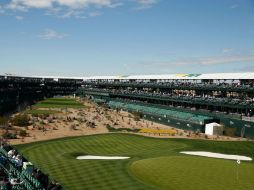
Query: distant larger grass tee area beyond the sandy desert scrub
[{"x": 59, "y": 103}]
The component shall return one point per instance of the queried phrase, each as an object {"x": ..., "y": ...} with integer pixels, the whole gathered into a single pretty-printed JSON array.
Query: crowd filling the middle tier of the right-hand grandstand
[{"x": 228, "y": 101}]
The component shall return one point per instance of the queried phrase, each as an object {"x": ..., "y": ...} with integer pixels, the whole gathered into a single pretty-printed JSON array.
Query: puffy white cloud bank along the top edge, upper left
[{"x": 70, "y": 8}]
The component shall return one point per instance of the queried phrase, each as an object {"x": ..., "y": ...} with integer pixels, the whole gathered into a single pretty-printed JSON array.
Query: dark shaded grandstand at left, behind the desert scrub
[{"x": 16, "y": 91}]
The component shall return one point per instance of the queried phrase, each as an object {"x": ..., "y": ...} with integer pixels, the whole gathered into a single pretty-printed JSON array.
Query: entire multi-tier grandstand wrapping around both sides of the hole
[{"x": 186, "y": 101}]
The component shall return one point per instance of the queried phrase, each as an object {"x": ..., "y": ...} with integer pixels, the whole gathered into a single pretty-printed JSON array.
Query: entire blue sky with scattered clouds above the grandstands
[{"x": 125, "y": 37}]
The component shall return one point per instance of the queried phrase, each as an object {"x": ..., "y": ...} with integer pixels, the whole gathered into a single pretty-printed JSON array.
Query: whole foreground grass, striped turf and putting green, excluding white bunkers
[{"x": 154, "y": 163}]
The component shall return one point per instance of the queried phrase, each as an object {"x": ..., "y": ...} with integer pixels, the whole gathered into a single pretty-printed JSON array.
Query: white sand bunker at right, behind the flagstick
[{"x": 217, "y": 155}]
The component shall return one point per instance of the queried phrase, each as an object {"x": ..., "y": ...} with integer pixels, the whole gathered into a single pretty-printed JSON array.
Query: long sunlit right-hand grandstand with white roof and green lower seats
[{"x": 187, "y": 101}]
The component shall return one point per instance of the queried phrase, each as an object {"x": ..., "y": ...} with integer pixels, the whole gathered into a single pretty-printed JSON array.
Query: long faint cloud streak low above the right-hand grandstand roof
[{"x": 215, "y": 60}]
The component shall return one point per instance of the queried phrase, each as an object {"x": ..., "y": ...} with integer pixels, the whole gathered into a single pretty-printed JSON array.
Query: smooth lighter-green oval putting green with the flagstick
[{"x": 194, "y": 173}]
